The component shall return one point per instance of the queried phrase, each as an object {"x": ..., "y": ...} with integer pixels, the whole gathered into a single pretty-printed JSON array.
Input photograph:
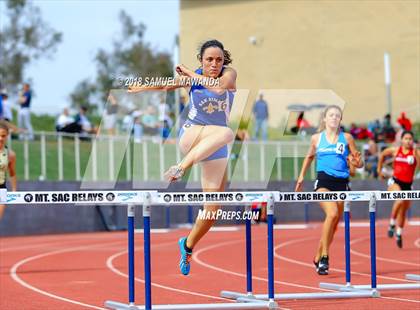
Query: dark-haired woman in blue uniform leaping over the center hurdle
[{"x": 205, "y": 135}]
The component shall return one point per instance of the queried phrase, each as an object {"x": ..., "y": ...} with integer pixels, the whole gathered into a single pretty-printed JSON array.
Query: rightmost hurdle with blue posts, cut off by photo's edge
[{"x": 348, "y": 287}]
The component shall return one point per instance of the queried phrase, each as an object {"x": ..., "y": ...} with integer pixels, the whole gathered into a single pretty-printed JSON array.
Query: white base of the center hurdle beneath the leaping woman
[{"x": 249, "y": 304}]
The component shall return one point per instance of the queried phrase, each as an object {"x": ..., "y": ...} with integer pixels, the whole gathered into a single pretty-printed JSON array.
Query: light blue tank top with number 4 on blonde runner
[{"x": 332, "y": 158}]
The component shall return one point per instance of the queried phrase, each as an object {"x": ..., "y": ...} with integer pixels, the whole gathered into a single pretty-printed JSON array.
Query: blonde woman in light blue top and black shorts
[{"x": 335, "y": 151}]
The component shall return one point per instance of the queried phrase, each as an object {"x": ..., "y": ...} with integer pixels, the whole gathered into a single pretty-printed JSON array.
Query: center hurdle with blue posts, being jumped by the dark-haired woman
[{"x": 198, "y": 198}]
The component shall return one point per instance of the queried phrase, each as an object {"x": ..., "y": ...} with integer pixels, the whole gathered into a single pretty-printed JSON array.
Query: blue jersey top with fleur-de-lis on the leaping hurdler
[{"x": 207, "y": 107}]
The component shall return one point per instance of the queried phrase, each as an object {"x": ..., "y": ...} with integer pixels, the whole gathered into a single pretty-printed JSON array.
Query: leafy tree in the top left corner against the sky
[{"x": 24, "y": 37}]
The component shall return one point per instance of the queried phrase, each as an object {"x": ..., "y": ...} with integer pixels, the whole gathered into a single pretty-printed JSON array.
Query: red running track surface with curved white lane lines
[{"x": 81, "y": 271}]
